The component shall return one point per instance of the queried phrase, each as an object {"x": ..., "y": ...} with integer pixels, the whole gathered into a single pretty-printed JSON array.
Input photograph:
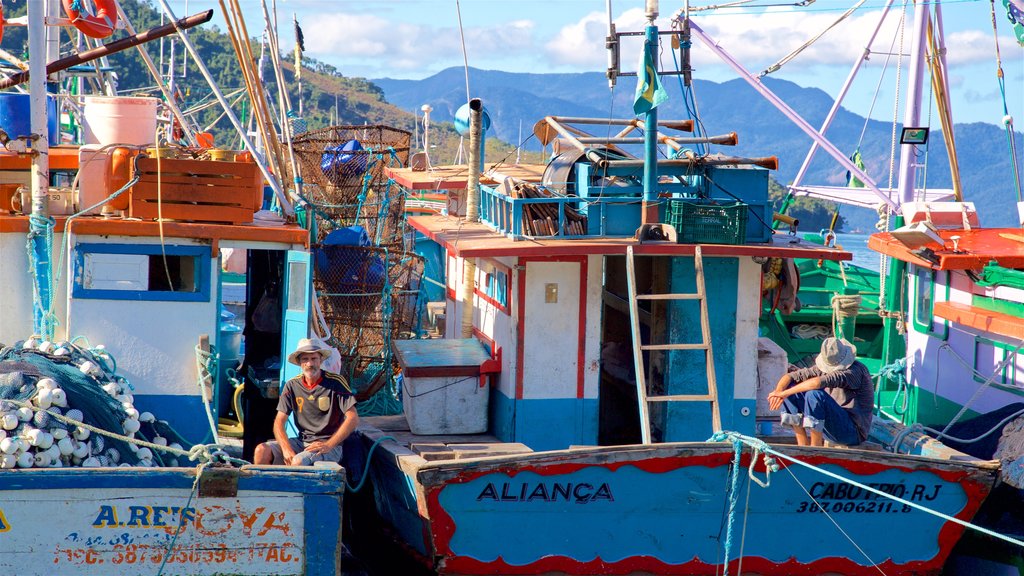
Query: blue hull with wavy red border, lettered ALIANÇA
[{"x": 664, "y": 510}]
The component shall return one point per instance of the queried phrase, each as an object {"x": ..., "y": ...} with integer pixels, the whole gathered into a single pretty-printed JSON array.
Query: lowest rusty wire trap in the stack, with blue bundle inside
[{"x": 369, "y": 297}]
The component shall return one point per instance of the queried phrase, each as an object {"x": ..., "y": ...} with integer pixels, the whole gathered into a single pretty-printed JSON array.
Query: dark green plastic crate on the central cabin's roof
[{"x": 705, "y": 223}]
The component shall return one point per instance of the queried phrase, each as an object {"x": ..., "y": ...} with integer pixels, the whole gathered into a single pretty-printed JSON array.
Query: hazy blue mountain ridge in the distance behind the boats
[{"x": 517, "y": 101}]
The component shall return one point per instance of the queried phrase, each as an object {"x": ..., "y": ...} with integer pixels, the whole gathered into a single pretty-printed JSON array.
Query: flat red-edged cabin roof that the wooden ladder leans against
[{"x": 470, "y": 240}]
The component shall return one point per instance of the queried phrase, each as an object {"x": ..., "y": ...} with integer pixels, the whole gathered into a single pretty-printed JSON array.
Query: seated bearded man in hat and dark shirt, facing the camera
[{"x": 325, "y": 413}]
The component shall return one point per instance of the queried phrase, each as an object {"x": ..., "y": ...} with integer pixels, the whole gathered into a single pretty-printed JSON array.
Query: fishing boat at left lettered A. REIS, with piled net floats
[{"x": 111, "y": 312}]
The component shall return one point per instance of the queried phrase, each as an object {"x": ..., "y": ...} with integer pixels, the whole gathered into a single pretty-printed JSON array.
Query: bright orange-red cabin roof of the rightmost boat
[{"x": 975, "y": 249}]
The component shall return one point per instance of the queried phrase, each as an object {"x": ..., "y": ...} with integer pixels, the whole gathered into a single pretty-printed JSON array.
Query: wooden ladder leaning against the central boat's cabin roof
[{"x": 638, "y": 349}]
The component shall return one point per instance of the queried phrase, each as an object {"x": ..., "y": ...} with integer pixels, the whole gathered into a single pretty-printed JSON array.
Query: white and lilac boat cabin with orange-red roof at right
[{"x": 966, "y": 300}]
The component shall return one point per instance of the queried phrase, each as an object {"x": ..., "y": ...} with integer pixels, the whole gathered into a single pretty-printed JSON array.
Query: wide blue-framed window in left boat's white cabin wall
[{"x": 143, "y": 272}]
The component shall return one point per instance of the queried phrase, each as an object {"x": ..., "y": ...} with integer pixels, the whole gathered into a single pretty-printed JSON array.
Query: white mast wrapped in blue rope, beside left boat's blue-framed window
[{"x": 40, "y": 228}]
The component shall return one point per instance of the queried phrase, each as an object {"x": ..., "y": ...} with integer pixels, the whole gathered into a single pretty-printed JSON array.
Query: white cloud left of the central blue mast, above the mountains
[{"x": 340, "y": 37}]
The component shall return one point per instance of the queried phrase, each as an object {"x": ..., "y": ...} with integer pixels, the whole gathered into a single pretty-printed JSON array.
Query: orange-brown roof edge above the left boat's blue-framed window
[{"x": 91, "y": 226}]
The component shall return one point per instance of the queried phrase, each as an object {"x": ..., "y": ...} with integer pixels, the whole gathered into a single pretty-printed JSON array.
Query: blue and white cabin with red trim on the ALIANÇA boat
[{"x": 551, "y": 304}]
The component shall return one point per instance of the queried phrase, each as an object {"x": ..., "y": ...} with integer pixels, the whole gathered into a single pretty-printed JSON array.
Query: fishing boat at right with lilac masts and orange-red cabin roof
[{"x": 945, "y": 313}]
